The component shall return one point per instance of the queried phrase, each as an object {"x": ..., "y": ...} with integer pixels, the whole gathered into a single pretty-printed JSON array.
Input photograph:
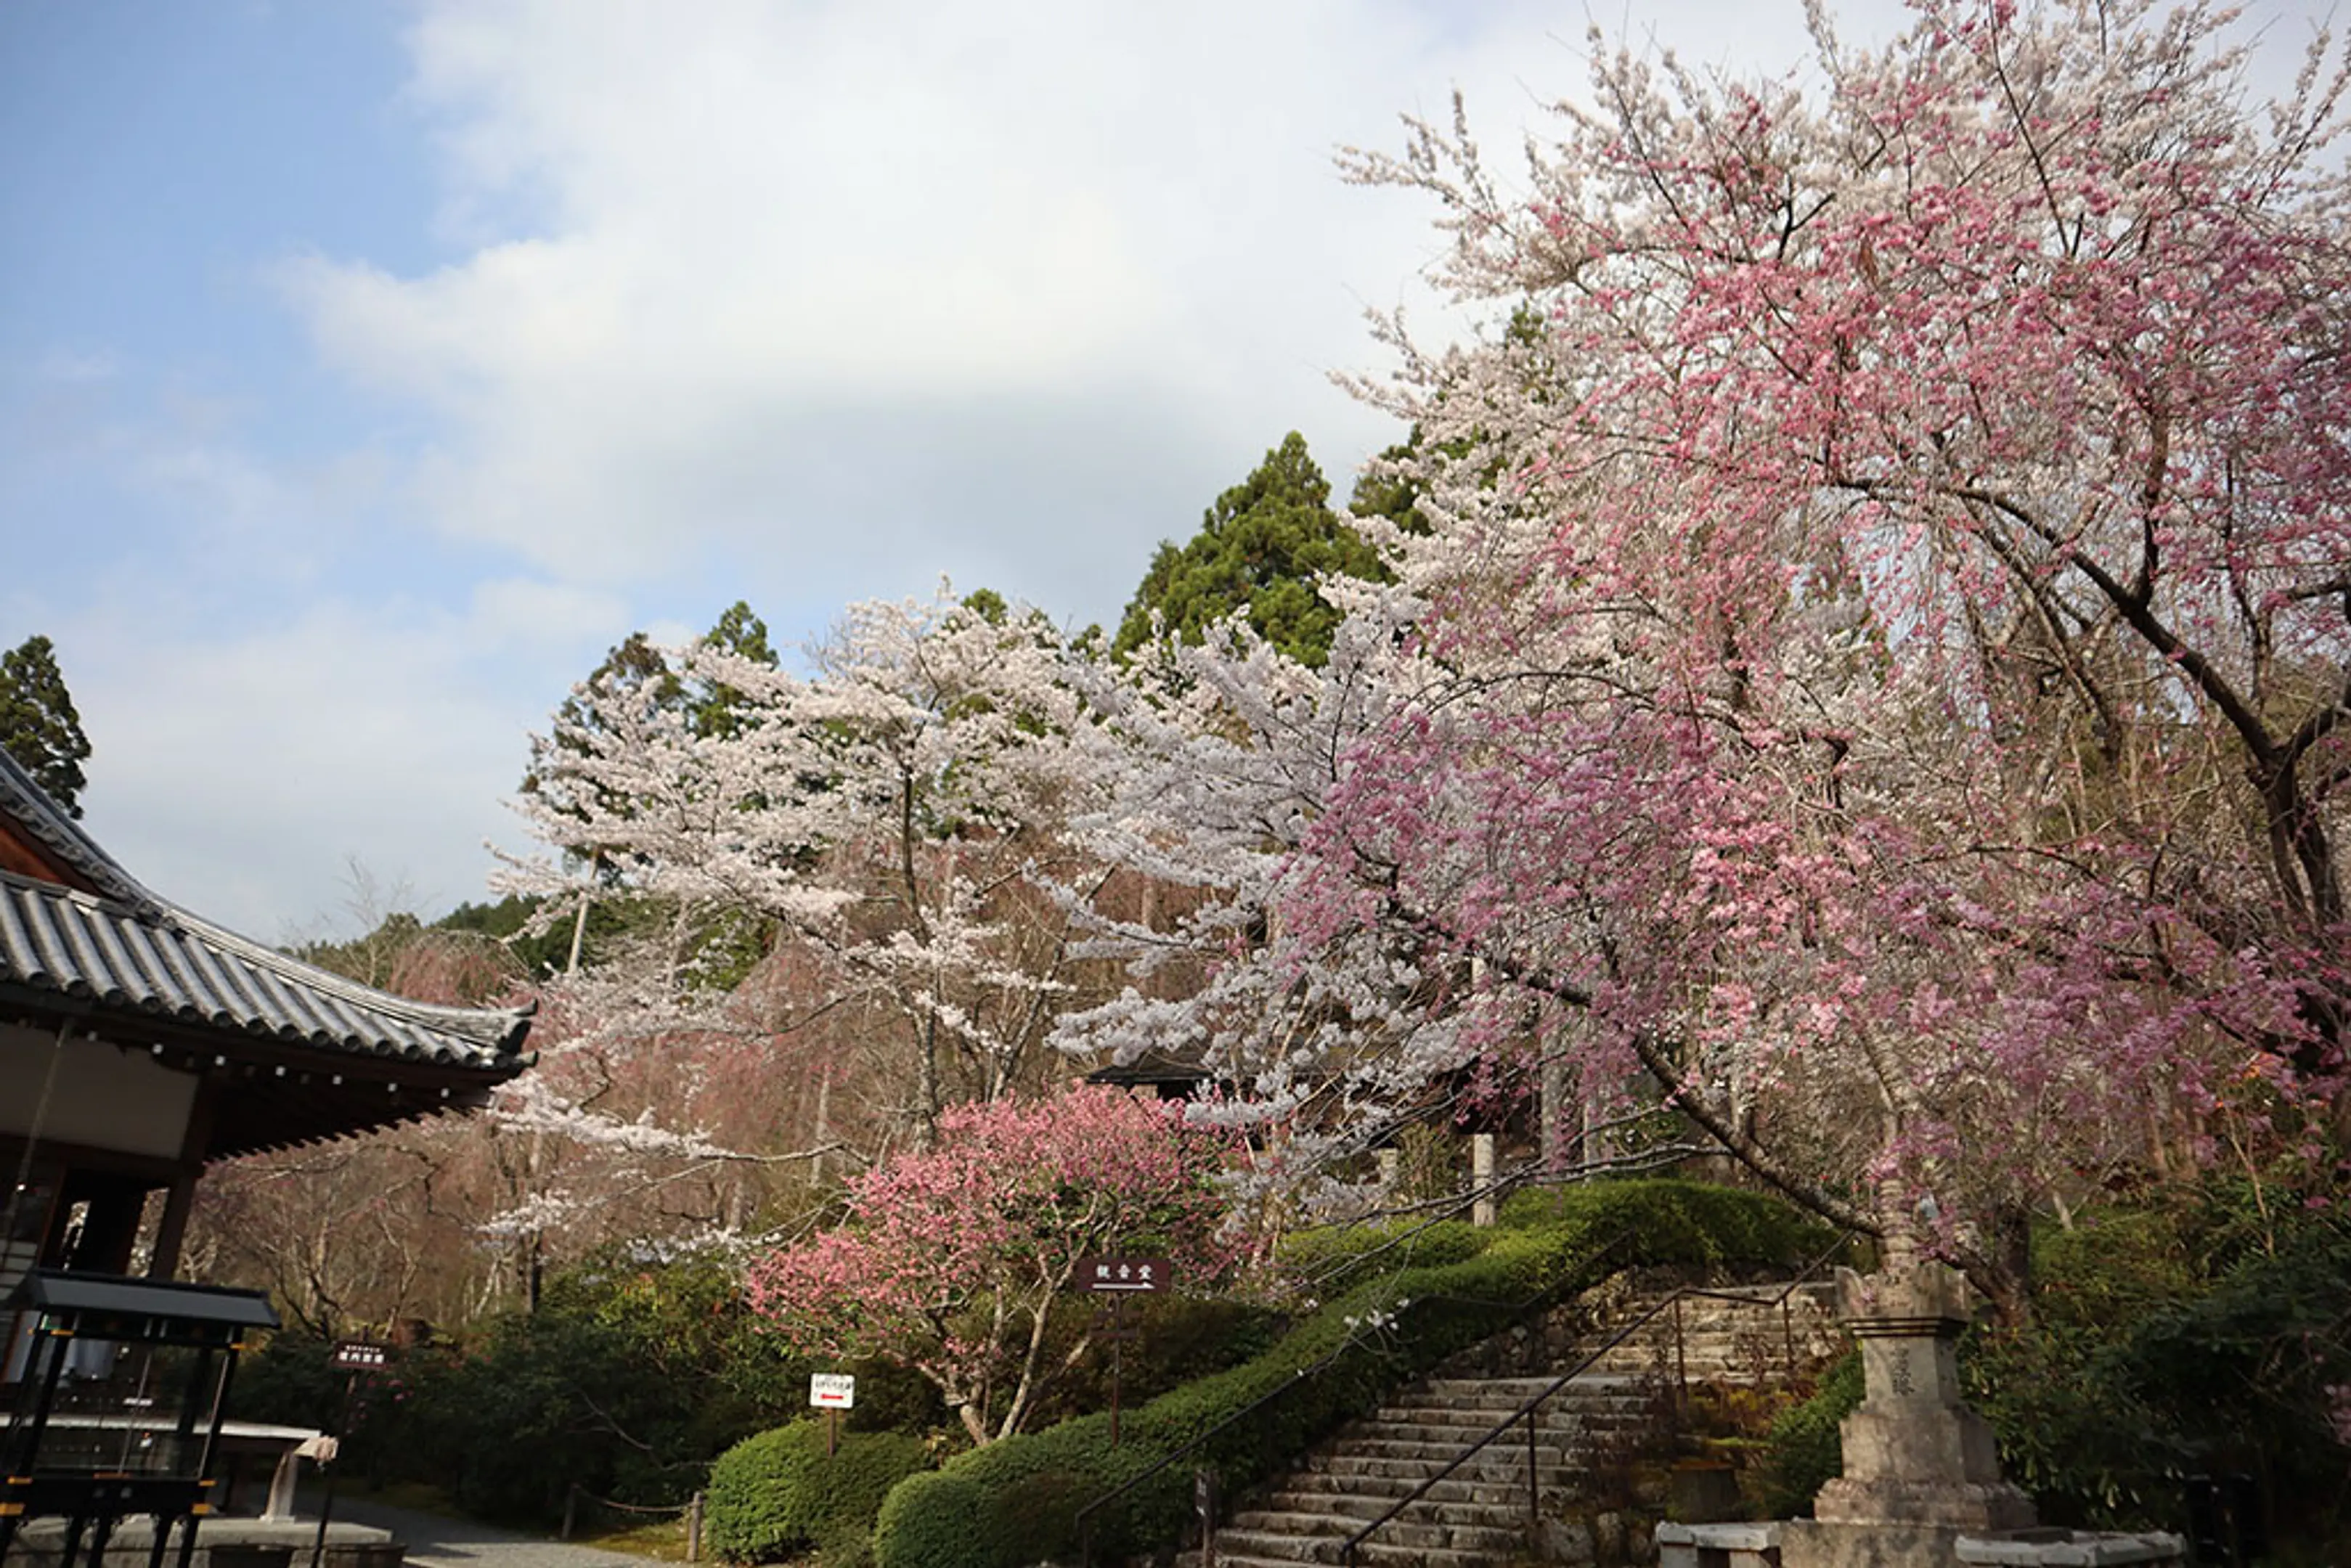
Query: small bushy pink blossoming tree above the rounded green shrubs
[{"x": 951, "y": 1259}]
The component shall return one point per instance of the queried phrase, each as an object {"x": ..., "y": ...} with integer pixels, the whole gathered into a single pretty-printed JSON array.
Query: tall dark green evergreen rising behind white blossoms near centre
[{"x": 1259, "y": 551}]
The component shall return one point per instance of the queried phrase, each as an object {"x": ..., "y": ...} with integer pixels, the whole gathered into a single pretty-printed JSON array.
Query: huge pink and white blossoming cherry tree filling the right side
[{"x": 1882, "y": 636}]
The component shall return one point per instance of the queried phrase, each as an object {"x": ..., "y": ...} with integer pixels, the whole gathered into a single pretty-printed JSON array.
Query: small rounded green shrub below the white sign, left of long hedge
[{"x": 779, "y": 1492}]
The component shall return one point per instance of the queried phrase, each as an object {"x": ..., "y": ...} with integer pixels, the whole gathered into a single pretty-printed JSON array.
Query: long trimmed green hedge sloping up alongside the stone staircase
[{"x": 1014, "y": 1501}]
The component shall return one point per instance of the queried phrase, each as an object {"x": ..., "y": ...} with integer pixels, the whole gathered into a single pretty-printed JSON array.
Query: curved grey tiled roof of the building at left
[{"x": 130, "y": 951}]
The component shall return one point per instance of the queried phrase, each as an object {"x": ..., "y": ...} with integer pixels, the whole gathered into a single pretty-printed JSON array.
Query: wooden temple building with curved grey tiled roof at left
[{"x": 142, "y": 1043}]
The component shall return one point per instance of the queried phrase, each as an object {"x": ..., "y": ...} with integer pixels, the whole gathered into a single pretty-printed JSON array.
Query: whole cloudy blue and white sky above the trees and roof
[{"x": 368, "y": 370}]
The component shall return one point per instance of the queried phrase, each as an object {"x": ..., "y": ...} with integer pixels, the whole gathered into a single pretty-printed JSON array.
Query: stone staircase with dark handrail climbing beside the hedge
[{"x": 1478, "y": 1517}]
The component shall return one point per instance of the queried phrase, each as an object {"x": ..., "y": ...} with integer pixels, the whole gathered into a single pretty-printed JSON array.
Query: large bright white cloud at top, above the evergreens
[{"x": 775, "y": 281}]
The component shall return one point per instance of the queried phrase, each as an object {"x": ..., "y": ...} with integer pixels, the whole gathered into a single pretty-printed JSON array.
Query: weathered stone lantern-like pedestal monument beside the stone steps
[{"x": 1920, "y": 1463}]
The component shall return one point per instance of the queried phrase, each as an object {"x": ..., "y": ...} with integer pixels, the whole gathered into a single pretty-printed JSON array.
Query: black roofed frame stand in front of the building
[{"x": 121, "y": 1405}]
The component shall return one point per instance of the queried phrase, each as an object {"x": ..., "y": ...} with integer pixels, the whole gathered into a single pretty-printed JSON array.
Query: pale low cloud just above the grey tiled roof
[{"x": 234, "y": 770}]
